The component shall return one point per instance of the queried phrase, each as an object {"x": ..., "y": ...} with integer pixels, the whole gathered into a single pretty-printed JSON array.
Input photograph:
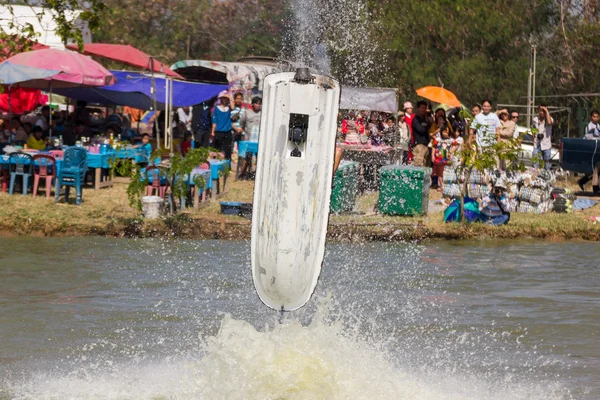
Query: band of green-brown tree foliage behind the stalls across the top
[{"x": 475, "y": 48}]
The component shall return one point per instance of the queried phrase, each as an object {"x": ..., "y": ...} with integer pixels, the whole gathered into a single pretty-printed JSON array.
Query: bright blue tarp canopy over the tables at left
[{"x": 135, "y": 90}]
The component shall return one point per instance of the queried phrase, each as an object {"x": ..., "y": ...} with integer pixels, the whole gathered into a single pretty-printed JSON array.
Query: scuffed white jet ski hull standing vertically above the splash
[{"x": 292, "y": 192}]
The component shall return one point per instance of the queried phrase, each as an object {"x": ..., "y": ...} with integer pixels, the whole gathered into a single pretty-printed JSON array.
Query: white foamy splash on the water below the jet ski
[{"x": 323, "y": 360}]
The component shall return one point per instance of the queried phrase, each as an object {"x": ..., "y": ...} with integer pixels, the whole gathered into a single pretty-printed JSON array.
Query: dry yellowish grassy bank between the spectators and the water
[{"x": 107, "y": 213}]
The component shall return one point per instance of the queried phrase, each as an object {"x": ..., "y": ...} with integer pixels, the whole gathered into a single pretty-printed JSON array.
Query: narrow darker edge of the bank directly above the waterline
[{"x": 184, "y": 226}]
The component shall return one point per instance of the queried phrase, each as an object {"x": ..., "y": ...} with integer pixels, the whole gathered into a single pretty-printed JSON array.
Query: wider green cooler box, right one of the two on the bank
[{"x": 404, "y": 190}]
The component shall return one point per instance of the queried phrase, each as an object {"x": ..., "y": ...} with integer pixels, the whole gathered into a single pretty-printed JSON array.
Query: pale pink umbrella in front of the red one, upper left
[{"x": 76, "y": 69}]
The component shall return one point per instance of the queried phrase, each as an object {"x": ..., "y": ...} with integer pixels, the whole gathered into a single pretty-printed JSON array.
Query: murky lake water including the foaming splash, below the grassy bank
[{"x": 94, "y": 318}]
